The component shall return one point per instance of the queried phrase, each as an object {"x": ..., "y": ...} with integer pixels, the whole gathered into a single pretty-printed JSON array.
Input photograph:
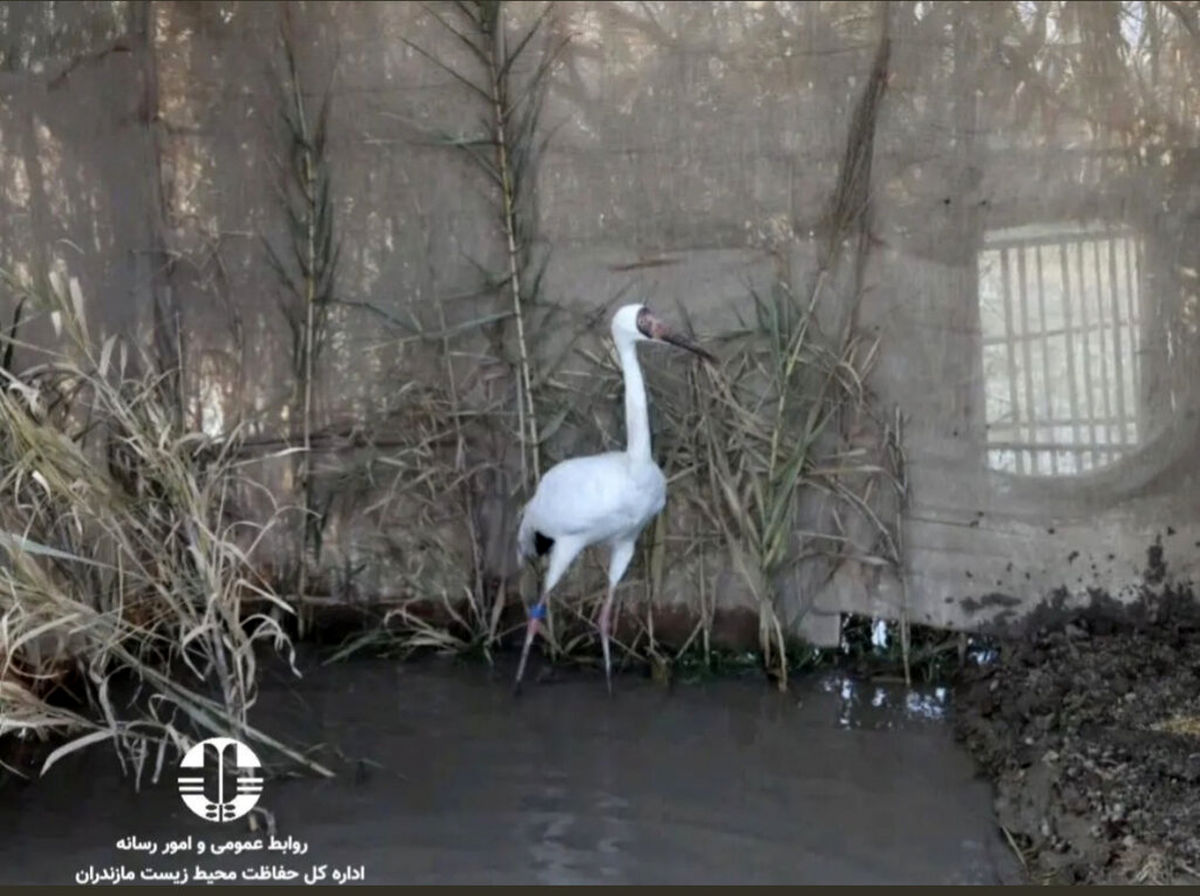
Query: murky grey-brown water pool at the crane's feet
[{"x": 446, "y": 779}]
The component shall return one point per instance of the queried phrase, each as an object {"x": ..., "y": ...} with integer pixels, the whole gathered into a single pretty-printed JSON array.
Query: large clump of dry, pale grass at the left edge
[{"x": 124, "y": 585}]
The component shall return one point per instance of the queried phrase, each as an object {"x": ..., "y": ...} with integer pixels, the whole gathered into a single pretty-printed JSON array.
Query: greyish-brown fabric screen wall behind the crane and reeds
[{"x": 692, "y": 147}]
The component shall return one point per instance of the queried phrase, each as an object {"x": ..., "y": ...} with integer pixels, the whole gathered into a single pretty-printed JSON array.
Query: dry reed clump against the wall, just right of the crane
[{"x": 781, "y": 471}]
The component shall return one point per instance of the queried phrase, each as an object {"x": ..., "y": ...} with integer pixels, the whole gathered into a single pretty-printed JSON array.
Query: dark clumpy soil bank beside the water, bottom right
[{"x": 1089, "y": 725}]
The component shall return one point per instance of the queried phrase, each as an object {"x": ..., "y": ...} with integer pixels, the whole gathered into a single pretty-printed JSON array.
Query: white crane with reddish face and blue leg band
[{"x": 601, "y": 500}]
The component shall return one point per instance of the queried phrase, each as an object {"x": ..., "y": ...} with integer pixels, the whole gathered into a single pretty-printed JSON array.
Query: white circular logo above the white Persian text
[{"x": 220, "y": 779}]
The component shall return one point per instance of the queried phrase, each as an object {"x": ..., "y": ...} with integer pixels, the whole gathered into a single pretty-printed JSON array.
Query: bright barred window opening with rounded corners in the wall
[{"x": 1060, "y": 320}]
